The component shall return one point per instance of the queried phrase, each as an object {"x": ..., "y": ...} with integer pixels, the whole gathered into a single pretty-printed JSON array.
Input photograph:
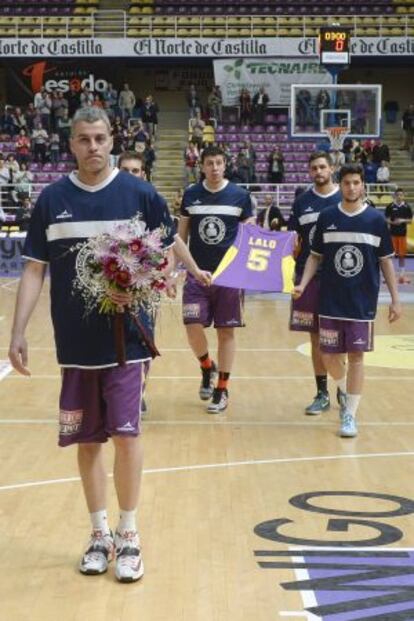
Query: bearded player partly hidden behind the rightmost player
[{"x": 305, "y": 212}]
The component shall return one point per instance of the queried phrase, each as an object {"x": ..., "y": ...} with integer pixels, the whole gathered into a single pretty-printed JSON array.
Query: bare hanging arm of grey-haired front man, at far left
[{"x": 27, "y": 296}]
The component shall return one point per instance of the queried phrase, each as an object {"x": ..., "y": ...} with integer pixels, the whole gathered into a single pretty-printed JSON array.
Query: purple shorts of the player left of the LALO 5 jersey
[{"x": 223, "y": 305}]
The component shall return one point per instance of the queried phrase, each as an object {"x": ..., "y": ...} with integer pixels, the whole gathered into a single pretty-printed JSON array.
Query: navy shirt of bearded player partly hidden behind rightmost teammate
[{"x": 303, "y": 217}]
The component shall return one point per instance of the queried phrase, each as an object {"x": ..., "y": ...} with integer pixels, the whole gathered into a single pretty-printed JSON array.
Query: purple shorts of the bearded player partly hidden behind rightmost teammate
[{"x": 304, "y": 310}]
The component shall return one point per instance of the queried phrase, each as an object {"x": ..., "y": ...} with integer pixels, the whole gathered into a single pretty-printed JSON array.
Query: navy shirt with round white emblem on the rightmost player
[{"x": 351, "y": 246}]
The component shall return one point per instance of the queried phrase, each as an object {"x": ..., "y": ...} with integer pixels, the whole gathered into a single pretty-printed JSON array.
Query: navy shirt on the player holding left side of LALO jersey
[{"x": 214, "y": 220}]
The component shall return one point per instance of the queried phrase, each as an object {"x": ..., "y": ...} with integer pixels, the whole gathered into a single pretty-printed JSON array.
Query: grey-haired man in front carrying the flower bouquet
[{"x": 99, "y": 399}]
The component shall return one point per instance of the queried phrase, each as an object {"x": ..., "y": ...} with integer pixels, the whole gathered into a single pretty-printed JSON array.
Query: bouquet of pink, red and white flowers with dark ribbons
[{"x": 129, "y": 260}]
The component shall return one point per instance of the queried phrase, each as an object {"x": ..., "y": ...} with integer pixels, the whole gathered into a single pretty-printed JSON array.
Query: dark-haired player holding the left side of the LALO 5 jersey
[{"x": 210, "y": 215}]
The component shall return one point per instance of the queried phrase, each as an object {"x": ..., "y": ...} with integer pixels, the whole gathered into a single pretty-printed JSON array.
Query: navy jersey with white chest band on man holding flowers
[{"x": 66, "y": 213}]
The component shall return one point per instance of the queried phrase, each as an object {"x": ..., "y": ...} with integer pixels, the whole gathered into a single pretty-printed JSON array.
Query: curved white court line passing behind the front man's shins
[{"x": 230, "y": 464}]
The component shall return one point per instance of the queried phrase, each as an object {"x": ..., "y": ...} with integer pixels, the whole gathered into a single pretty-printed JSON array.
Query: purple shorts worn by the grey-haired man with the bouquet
[{"x": 96, "y": 404}]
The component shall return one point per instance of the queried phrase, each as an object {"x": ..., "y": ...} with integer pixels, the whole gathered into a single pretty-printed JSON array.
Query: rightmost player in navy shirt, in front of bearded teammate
[{"x": 354, "y": 242}]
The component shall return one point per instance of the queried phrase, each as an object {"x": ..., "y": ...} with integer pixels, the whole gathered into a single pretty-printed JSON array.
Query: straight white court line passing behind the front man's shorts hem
[{"x": 218, "y": 423}]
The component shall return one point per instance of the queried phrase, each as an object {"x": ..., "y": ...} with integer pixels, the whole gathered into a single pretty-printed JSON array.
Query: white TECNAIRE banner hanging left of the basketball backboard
[{"x": 274, "y": 74}]
